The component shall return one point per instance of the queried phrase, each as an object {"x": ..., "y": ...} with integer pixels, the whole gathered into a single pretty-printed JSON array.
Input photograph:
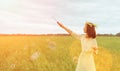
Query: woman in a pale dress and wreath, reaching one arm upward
[{"x": 89, "y": 47}]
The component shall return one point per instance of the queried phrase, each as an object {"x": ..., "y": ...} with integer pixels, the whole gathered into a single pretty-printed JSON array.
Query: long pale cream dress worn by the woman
[{"x": 86, "y": 59}]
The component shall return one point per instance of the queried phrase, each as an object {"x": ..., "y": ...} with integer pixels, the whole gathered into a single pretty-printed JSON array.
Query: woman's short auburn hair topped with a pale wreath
[{"x": 91, "y": 32}]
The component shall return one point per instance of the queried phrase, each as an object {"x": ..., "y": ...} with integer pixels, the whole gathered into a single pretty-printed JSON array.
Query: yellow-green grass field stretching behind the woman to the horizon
[{"x": 54, "y": 53}]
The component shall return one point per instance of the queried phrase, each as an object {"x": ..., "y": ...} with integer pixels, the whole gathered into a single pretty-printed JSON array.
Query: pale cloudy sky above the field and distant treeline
[{"x": 37, "y": 16}]
